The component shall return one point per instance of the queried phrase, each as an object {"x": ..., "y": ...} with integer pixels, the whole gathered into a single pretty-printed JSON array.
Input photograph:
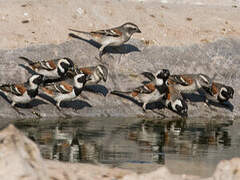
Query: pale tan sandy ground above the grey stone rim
[{"x": 163, "y": 22}]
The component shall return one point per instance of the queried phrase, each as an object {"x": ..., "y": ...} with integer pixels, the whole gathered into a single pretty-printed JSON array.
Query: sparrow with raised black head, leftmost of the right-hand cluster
[{"x": 149, "y": 92}]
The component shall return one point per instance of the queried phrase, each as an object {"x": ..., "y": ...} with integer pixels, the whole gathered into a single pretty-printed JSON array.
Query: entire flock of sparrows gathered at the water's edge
[{"x": 62, "y": 80}]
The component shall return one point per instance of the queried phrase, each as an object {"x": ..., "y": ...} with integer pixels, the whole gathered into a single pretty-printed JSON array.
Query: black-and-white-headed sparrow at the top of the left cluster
[{"x": 54, "y": 68}]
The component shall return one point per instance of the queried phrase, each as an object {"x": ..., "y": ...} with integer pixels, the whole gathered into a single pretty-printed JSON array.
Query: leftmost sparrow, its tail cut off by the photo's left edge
[{"x": 22, "y": 92}]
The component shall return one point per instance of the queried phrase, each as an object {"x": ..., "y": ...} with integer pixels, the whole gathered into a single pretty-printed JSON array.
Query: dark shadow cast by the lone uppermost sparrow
[{"x": 123, "y": 49}]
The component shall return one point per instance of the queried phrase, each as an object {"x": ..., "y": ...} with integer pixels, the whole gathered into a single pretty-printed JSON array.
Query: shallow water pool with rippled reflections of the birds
[{"x": 141, "y": 145}]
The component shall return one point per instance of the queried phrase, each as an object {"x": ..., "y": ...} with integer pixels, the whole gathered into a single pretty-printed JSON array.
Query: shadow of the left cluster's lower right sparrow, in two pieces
[{"x": 75, "y": 104}]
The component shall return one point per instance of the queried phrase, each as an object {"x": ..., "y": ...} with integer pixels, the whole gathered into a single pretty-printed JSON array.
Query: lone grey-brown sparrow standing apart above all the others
[{"x": 112, "y": 37}]
